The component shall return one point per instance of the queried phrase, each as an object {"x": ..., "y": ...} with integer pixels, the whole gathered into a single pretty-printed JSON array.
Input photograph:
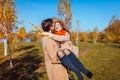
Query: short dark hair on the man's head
[{"x": 46, "y": 24}]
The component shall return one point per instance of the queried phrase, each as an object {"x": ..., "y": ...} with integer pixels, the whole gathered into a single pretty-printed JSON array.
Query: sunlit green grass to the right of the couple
[{"x": 103, "y": 60}]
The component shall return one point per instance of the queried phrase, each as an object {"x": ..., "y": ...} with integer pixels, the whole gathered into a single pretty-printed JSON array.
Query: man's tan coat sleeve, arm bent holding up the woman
[{"x": 52, "y": 51}]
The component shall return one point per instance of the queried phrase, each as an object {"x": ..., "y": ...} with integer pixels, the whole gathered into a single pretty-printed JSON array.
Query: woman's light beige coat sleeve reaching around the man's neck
[{"x": 60, "y": 37}]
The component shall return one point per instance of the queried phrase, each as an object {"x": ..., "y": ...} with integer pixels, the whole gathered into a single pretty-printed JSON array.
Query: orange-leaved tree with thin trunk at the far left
[{"x": 8, "y": 18}]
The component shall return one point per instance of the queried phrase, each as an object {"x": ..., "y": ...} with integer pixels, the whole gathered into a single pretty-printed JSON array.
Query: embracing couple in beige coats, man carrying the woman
[{"x": 58, "y": 51}]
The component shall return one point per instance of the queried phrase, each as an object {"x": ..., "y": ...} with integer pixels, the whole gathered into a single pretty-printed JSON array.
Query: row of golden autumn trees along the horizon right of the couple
[{"x": 109, "y": 35}]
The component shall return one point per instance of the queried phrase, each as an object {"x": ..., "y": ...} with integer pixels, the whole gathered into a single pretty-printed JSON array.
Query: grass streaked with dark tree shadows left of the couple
[{"x": 28, "y": 63}]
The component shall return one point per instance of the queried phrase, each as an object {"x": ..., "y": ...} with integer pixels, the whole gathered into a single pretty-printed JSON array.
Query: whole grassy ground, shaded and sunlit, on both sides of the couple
[{"x": 102, "y": 59}]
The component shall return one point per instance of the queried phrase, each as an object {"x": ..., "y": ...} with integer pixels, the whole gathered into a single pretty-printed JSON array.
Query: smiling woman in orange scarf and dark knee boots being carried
[{"x": 66, "y": 51}]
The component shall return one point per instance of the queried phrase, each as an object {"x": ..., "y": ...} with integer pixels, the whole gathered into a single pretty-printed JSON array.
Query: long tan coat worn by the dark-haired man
[{"x": 55, "y": 70}]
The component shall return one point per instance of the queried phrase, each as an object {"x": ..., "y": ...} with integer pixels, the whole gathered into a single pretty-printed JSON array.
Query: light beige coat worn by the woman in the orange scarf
[{"x": 67, "y": 43}]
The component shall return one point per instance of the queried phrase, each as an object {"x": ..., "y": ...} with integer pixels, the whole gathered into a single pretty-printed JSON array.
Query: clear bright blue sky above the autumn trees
[{"x": 89, "y": 13}]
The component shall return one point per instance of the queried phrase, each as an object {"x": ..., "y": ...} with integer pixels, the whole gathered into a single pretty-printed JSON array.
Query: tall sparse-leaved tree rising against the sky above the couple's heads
[{"x": 64, "y": 12}]
